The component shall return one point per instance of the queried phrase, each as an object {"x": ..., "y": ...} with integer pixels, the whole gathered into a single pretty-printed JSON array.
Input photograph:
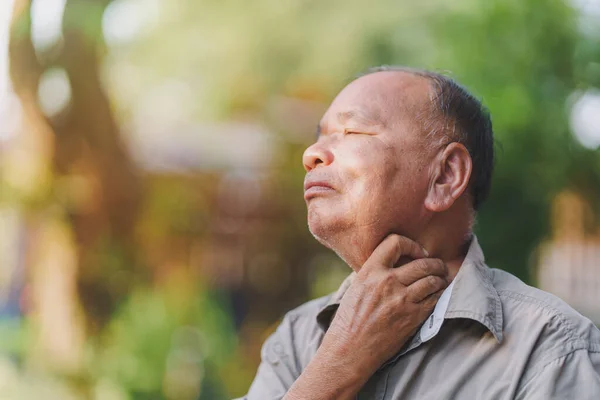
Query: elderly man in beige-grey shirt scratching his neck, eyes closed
[{"x": 402, "y": 162}]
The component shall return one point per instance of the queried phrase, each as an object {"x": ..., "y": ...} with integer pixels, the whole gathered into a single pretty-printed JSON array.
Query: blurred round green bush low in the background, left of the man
[{"x": 162, "y": 341}]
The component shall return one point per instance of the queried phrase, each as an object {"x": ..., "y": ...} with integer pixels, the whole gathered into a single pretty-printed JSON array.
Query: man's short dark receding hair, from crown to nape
[{"x": 460, "y": 117}]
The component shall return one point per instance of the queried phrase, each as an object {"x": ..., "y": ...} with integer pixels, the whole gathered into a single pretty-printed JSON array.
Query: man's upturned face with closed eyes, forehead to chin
[{"x": 369, "y": 170}]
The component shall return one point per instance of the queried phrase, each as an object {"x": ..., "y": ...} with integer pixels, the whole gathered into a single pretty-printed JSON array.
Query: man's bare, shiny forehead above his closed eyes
[{"x": 383, "y": 98}]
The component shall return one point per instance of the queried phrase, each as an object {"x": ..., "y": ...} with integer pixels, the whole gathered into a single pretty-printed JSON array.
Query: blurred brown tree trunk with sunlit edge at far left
[{"x": 75, "y": 171}]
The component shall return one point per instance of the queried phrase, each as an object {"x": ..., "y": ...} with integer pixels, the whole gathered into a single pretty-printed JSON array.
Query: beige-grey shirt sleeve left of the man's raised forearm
[{"x": 279, "y": 367}]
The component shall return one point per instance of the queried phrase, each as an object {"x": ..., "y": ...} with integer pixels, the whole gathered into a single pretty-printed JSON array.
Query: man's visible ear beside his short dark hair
[{"x": 450, "y": 177}]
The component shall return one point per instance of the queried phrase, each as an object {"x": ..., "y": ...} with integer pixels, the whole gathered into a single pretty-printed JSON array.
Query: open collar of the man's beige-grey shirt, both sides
[{"x": 471, "y": 295}]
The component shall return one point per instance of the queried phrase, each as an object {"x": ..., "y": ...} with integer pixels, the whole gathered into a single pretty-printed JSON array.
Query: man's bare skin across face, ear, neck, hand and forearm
[{"x": 392, "y": 202}]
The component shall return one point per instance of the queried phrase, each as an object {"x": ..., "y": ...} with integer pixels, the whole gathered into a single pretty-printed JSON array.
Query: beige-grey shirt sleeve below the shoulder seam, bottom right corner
[{"x": 573, "y": 376}]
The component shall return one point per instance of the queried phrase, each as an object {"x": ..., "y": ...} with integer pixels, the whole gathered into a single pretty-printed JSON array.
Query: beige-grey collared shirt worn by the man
[{"x": 490, "y": 337}]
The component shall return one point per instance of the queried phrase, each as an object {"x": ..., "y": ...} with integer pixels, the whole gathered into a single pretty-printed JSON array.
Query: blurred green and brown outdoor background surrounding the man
[{"x": 152, "y": 226}]
